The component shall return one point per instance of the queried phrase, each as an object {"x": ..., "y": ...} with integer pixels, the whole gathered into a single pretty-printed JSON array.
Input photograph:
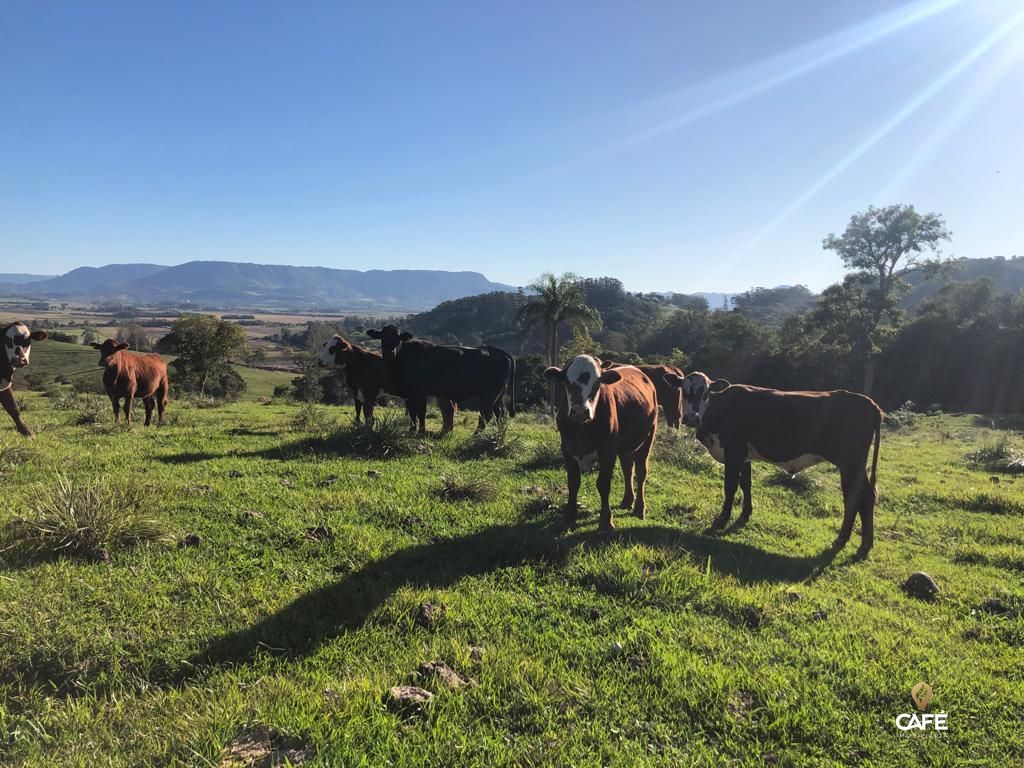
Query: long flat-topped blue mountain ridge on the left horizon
[{"x": 225, "y": 284}]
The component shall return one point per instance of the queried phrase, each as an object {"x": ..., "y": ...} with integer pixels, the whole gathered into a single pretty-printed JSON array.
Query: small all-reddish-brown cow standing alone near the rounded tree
[{"x": 130, "y": 375}]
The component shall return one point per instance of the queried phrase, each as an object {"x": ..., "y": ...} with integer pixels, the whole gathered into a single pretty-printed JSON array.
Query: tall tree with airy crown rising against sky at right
[{"x": 882, "y": 246}]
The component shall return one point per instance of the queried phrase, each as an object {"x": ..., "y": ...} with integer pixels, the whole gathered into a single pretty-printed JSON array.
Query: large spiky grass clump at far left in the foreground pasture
[{"x": 88, "y": 519}]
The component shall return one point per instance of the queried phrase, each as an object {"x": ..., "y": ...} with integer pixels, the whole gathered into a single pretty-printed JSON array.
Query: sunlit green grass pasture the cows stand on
[{"x": 660, "y": 645}]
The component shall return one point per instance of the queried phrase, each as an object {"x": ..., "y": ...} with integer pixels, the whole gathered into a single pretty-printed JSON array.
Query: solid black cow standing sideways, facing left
[{"x": 421, "y": 369}]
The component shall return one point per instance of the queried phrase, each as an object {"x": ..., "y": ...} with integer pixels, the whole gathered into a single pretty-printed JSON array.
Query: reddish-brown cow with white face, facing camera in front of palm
[{"x": 605, "y": 415}]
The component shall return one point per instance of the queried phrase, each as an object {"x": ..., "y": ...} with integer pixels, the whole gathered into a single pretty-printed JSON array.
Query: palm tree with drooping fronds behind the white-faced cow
[{"x": 553, "y": 303}]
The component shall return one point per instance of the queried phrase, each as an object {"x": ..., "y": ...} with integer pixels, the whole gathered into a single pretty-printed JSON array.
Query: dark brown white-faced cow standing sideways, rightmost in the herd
[{"x": 740, "y": 424}]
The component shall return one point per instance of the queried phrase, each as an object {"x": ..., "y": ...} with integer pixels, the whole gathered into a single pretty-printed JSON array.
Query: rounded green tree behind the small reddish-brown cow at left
[{"x": 205, "y": 346}]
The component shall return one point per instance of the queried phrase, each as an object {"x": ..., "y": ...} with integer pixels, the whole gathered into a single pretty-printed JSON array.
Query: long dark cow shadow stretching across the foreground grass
[{"x": 312, "y": 620}]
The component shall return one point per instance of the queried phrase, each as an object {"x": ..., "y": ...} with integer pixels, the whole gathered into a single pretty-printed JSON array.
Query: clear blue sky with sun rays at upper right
[{"x": 677, "y": 146}]
